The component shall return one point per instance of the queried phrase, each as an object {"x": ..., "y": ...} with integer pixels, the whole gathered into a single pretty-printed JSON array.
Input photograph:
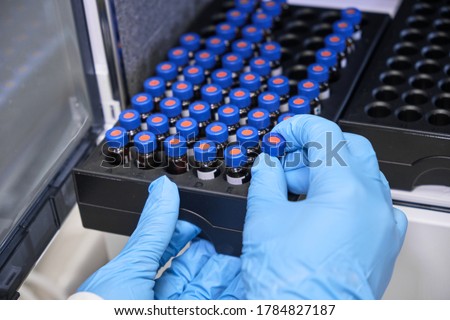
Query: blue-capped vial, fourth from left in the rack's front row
[{"x": 207, "y": 166}]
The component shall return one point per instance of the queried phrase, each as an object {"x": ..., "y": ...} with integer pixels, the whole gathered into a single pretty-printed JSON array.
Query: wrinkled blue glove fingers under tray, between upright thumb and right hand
[{"x": 201, "y": 273}]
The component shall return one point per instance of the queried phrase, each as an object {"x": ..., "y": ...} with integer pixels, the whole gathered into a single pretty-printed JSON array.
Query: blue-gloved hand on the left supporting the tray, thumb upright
[{"x": 131, "y": 275}]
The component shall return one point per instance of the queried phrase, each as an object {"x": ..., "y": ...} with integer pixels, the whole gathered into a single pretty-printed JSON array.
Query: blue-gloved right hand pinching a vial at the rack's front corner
[{"x": 339, "y": 243}]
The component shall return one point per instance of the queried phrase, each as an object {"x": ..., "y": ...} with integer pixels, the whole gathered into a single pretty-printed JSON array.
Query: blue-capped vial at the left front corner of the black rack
[{"x": 117, "y": 151}]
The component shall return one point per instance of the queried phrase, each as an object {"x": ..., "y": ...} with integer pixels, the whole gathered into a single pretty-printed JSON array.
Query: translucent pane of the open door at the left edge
[{"x": 44, "y": 106}]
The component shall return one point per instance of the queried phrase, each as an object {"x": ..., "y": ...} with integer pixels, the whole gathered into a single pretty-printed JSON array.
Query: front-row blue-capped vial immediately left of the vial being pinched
[{"x": 237, "y": 171}]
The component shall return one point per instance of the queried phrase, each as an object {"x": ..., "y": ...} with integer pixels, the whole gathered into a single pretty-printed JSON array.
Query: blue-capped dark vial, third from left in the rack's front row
[{"x": 176, "y": 153}]
